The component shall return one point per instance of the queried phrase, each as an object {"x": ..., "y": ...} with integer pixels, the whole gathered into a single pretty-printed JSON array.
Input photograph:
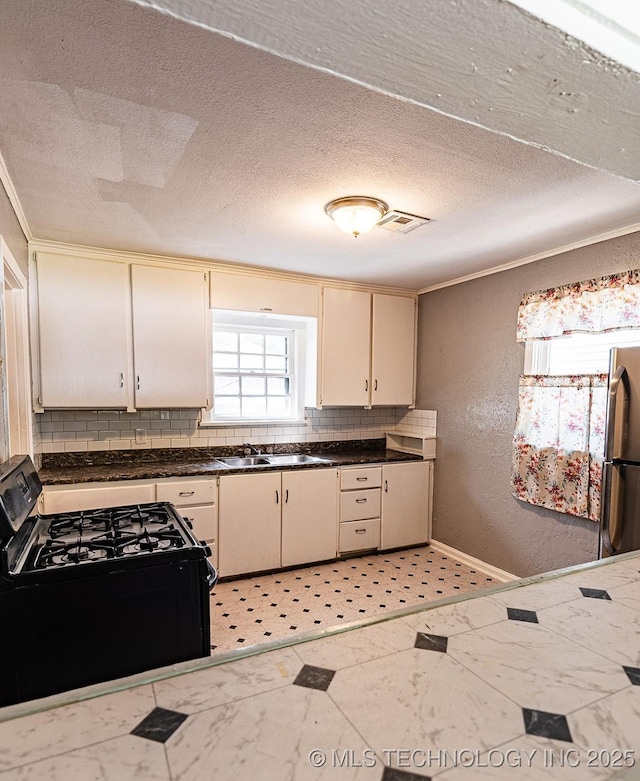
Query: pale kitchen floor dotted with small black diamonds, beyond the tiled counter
[{"x": 270, "y": 607}]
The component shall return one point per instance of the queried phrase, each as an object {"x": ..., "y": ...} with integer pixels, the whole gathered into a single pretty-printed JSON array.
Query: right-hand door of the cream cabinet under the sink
[{"x": 309, "y": 516}]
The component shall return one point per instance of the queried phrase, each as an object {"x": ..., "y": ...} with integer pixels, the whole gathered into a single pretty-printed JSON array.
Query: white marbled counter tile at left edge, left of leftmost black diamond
[{"x": 59, "y": 730}]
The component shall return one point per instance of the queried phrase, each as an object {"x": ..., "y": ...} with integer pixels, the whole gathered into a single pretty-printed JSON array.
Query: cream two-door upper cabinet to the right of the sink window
[{"x": 368, "y": 349}]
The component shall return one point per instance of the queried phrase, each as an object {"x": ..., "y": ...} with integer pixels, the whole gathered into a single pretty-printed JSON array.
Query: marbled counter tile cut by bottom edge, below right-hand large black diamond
[{"x": 528, "y": 758}]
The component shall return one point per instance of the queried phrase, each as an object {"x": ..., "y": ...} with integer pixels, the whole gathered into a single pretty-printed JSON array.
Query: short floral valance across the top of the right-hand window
[{"x": 595, "y": 305}]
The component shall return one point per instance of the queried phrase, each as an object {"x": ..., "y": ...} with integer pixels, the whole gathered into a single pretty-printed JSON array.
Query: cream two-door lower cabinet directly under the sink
[{"x": 276, "y": 519}]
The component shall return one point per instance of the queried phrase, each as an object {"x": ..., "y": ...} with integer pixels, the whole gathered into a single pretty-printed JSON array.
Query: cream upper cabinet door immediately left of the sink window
[{"x": 170, "y": 337}]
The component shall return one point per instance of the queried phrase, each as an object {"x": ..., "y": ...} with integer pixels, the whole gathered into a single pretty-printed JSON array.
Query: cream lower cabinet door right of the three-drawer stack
[{"x": 406, "y": 505}]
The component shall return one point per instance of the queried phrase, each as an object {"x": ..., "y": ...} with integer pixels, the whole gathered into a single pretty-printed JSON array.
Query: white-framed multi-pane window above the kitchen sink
[{"x": 262, "y": 366}]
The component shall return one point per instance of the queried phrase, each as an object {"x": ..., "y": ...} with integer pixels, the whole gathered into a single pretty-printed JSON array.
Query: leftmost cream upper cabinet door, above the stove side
[{"x": 84, "y": 324}]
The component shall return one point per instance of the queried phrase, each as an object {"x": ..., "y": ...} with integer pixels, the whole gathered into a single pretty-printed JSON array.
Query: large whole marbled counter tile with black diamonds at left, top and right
[{"x": 423, "y": 699}]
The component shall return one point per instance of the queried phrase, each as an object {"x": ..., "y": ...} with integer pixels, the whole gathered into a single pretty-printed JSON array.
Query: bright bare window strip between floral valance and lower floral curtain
[{"x": 576, "y": 353}]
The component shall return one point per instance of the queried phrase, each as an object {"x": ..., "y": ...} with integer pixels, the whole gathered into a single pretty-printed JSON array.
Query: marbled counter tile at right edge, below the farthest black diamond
[{"x": 603, "y": 625}]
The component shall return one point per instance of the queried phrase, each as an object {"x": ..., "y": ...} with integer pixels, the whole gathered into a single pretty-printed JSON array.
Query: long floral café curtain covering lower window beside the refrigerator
[{"x": 559, "y": 443}]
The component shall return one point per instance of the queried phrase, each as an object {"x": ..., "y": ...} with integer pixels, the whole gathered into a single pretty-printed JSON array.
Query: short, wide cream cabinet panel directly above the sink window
[{"x": 253, "y": 293}]
